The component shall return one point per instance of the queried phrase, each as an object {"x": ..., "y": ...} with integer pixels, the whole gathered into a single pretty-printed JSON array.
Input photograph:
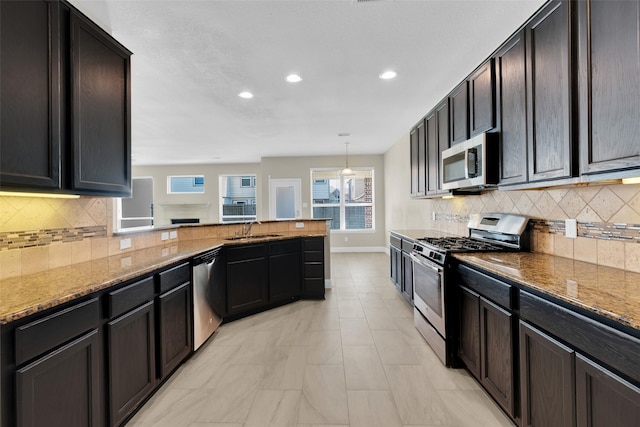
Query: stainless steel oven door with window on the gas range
[{"x": 428, "y": 291}]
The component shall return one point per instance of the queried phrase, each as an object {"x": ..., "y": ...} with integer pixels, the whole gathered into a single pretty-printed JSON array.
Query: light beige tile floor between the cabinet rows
[{"x": 354, "y": 359}]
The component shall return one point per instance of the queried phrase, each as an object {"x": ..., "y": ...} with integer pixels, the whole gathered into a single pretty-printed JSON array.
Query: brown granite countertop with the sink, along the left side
[{"x": 25, "y": 295}]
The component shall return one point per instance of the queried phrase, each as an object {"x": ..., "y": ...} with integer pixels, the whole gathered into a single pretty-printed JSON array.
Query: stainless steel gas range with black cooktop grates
[{"x": 435, "y": 305}]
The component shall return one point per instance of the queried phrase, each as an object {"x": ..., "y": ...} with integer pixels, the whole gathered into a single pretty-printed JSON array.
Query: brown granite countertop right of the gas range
[{"x": 606, "y": 291}]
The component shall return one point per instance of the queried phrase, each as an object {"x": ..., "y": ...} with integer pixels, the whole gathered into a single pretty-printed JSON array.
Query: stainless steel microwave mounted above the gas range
[{"x": 473, "y": 163}]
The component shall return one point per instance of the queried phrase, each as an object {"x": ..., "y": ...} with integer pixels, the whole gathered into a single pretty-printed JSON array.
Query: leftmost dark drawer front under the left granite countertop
[{"x": 49, "y": 332}]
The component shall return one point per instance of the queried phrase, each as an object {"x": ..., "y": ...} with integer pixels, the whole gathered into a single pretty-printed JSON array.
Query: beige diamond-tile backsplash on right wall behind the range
[{"x": 608, "y": 220}]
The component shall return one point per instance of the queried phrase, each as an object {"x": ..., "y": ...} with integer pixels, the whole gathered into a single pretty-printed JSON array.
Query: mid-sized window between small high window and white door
[{"x": 238, "y": 193}]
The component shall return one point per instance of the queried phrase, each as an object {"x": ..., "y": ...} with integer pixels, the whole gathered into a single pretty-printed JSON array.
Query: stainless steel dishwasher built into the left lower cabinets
[{"x": 207, "y": 284}]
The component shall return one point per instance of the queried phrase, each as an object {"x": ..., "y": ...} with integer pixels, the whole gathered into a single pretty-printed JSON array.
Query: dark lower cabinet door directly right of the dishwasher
[{"x": 247, "y": 285}]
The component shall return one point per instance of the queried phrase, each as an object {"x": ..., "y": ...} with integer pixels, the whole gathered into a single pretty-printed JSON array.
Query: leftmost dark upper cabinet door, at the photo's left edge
[{"x": 30, "y": 104}]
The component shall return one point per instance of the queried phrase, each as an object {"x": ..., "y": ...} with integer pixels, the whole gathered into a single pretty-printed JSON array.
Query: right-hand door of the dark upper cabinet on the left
[{"x": 101, "y": 112}]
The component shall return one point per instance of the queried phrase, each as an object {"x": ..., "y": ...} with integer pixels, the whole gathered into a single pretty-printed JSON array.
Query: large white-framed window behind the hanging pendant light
[{"x": 347, "y": 201}]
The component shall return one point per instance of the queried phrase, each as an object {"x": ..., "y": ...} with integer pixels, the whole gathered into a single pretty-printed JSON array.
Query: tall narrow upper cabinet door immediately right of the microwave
[{"x": 510, "y": 64}]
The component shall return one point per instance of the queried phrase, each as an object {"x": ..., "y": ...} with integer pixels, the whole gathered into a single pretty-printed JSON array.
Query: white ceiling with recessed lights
[{"x": 192, "y": 58}]
